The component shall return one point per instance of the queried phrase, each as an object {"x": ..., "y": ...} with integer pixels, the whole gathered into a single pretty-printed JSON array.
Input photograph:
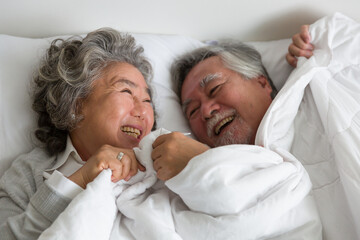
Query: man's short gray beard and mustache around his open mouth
[{"x": 238, "y": 133}]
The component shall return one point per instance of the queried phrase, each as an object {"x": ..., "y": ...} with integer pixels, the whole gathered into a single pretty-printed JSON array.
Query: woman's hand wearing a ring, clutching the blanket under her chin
[{"x": 106, "y": 158}]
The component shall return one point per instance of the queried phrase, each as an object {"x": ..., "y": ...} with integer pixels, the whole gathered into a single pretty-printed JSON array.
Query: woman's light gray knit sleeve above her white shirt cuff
[{"x": 28, "y": 205}]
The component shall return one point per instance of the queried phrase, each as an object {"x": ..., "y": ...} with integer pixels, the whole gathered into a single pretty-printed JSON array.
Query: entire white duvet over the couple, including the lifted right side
[{"x": 251, "y": 192}]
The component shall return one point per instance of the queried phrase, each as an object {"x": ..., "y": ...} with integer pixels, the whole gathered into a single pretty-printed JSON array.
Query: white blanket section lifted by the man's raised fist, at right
[{"x": 317, "y": 118}]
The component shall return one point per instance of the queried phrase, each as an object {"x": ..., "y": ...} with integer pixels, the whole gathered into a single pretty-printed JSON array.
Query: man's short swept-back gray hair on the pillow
[{"x": 236, "y": 56}]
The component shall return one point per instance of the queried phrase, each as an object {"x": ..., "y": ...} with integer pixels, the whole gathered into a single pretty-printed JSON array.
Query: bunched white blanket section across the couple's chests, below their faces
[{"x": 232, "y": 192}]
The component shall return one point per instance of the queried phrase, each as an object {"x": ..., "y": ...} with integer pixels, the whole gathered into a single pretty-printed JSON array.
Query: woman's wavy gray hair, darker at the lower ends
[{"x": 65, "y": 76}]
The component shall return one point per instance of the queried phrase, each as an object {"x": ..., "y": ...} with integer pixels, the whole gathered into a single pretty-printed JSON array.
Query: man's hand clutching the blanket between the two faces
[{"x": 172, "y": 152}]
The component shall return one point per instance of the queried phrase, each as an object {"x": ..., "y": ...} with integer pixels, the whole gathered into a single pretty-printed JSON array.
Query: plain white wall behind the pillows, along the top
[{"x": 211, "y": 19}]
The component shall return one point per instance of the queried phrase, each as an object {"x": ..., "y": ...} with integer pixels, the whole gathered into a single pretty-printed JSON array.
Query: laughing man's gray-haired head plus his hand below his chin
[{"x": 225, "y": 92}]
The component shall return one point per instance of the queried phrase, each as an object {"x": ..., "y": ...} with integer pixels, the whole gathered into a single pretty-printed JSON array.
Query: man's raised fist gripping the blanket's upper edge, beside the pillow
[{"x": 300, "y": 47}]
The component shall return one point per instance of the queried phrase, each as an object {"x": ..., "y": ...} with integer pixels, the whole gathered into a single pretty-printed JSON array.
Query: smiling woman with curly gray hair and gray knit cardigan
[{"x": 94, "y": 105}]
